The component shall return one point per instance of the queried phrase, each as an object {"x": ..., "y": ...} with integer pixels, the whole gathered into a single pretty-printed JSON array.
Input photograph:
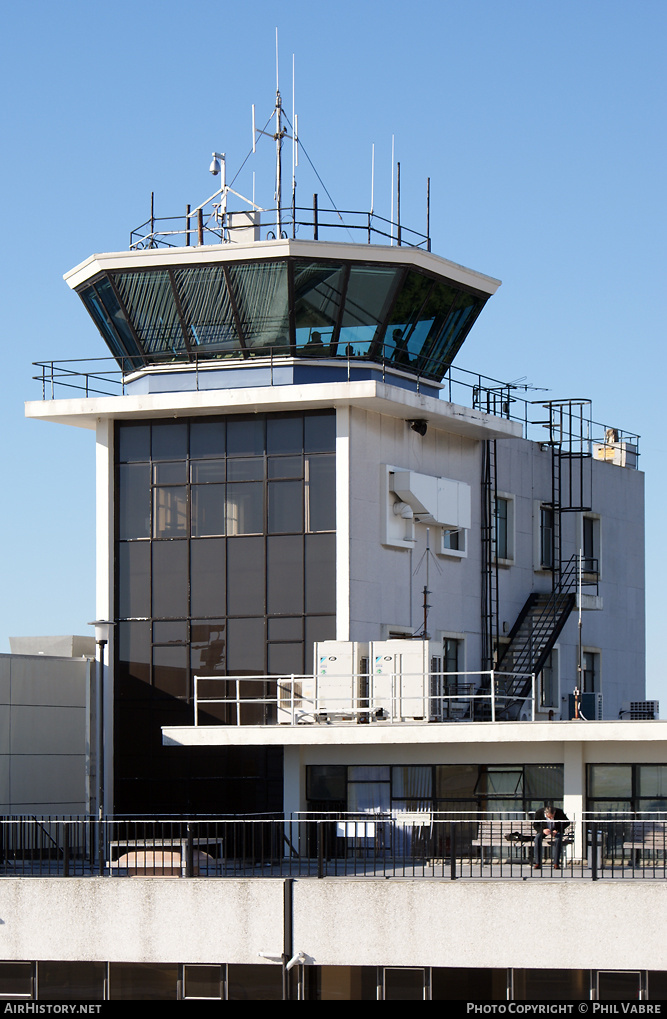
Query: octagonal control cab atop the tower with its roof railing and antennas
[{"x": 233, "y": 294}]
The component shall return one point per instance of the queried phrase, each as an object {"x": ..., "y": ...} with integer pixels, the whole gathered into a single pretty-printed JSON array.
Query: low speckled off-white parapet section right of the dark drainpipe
[{"x": 567, "y": 925}]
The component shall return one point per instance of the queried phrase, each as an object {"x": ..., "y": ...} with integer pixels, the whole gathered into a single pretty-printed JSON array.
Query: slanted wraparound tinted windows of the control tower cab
[{"x": 310, "y": 308}]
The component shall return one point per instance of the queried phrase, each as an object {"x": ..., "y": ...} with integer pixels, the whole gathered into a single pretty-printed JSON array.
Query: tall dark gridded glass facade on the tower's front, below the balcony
[{"x": 226, "y": 567}]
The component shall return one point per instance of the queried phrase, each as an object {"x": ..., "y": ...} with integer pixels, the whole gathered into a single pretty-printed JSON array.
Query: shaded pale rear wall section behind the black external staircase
[{"x": 619, "y": 629}]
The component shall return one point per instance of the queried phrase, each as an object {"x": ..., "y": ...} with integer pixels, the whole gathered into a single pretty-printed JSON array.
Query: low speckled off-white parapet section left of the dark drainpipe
[{"x": 158, "y": 920}]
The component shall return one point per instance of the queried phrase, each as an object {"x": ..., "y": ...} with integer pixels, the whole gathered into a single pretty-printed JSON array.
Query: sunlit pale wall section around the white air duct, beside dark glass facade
[{"x": 385, "y": 592}]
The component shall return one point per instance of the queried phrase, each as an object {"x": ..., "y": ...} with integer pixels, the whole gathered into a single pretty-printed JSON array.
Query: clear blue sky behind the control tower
[{"x": 542, "y": 127}]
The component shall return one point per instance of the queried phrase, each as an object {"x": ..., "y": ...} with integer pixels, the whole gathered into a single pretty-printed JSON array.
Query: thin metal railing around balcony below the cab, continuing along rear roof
[{"x": 467, "y": 389}]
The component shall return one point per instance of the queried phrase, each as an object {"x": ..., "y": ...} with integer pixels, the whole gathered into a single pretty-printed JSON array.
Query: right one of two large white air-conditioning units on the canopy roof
[{"x": 401, "y": 685}]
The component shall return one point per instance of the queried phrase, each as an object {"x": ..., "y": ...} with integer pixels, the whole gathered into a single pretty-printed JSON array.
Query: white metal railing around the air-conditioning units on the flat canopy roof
[{"x": 355, "y": 699}]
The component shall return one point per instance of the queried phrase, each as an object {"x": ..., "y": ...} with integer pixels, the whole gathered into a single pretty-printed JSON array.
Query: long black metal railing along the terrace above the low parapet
[{"x": 415, "y": 843}]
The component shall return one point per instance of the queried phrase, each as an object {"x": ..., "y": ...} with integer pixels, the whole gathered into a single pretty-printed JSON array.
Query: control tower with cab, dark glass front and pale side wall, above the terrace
[{"x": 286, "y": 457}]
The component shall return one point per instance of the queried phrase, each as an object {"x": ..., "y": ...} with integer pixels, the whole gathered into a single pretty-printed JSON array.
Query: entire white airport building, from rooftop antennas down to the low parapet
[{"x": 340, "y": 578}]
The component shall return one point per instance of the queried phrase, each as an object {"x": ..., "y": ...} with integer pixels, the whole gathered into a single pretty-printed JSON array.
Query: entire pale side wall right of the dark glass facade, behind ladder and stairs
[{"x": 386, "y": 583}]
